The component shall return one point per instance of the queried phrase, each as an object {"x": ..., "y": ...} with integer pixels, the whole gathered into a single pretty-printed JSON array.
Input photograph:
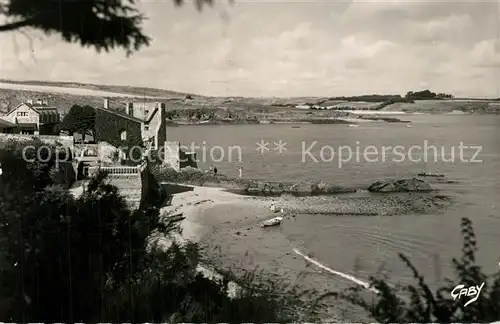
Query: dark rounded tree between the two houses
[{"x": 80, "y": 119}]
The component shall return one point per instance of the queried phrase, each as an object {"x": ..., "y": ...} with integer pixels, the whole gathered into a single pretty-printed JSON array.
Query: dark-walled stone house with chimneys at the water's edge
[{"x": 141, "y": 125}]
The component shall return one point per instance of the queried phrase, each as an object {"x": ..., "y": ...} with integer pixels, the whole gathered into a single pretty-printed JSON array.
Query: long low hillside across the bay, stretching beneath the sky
[{"x": 65, "y": 94}]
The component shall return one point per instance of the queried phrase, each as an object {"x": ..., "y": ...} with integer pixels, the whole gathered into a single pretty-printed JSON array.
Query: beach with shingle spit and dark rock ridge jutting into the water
[{"x": 226, "y": 225}]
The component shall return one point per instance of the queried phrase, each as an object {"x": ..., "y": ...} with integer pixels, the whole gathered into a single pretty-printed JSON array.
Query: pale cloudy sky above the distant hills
[{"x": 281, "y": 49}]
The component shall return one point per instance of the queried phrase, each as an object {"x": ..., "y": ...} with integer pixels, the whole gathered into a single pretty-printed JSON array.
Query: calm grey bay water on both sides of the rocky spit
[{"x": 363, "y": 246}]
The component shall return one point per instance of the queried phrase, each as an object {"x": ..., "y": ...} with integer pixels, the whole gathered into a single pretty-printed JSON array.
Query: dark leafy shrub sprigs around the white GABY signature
[{"x": 419, "y": 304}]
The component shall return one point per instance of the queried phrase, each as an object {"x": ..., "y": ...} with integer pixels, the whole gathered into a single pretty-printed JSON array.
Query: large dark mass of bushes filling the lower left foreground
[{"x": 90, "y": 259}]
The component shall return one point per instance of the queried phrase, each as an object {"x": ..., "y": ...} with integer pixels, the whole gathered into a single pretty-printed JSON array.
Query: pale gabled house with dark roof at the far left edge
[{"x": 36, "y": 118}]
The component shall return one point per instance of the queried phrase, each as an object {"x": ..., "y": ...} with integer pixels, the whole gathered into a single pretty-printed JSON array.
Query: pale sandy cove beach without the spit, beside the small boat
[{"x": 225, "y": 225}]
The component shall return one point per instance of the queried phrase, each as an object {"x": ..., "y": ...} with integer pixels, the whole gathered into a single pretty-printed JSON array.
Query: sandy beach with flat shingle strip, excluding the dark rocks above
[{"x": 225, "y": 227}]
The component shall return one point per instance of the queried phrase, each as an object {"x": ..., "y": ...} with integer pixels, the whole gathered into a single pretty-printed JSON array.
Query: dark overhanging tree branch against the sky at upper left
[{"x": 102, "y": 24}]
